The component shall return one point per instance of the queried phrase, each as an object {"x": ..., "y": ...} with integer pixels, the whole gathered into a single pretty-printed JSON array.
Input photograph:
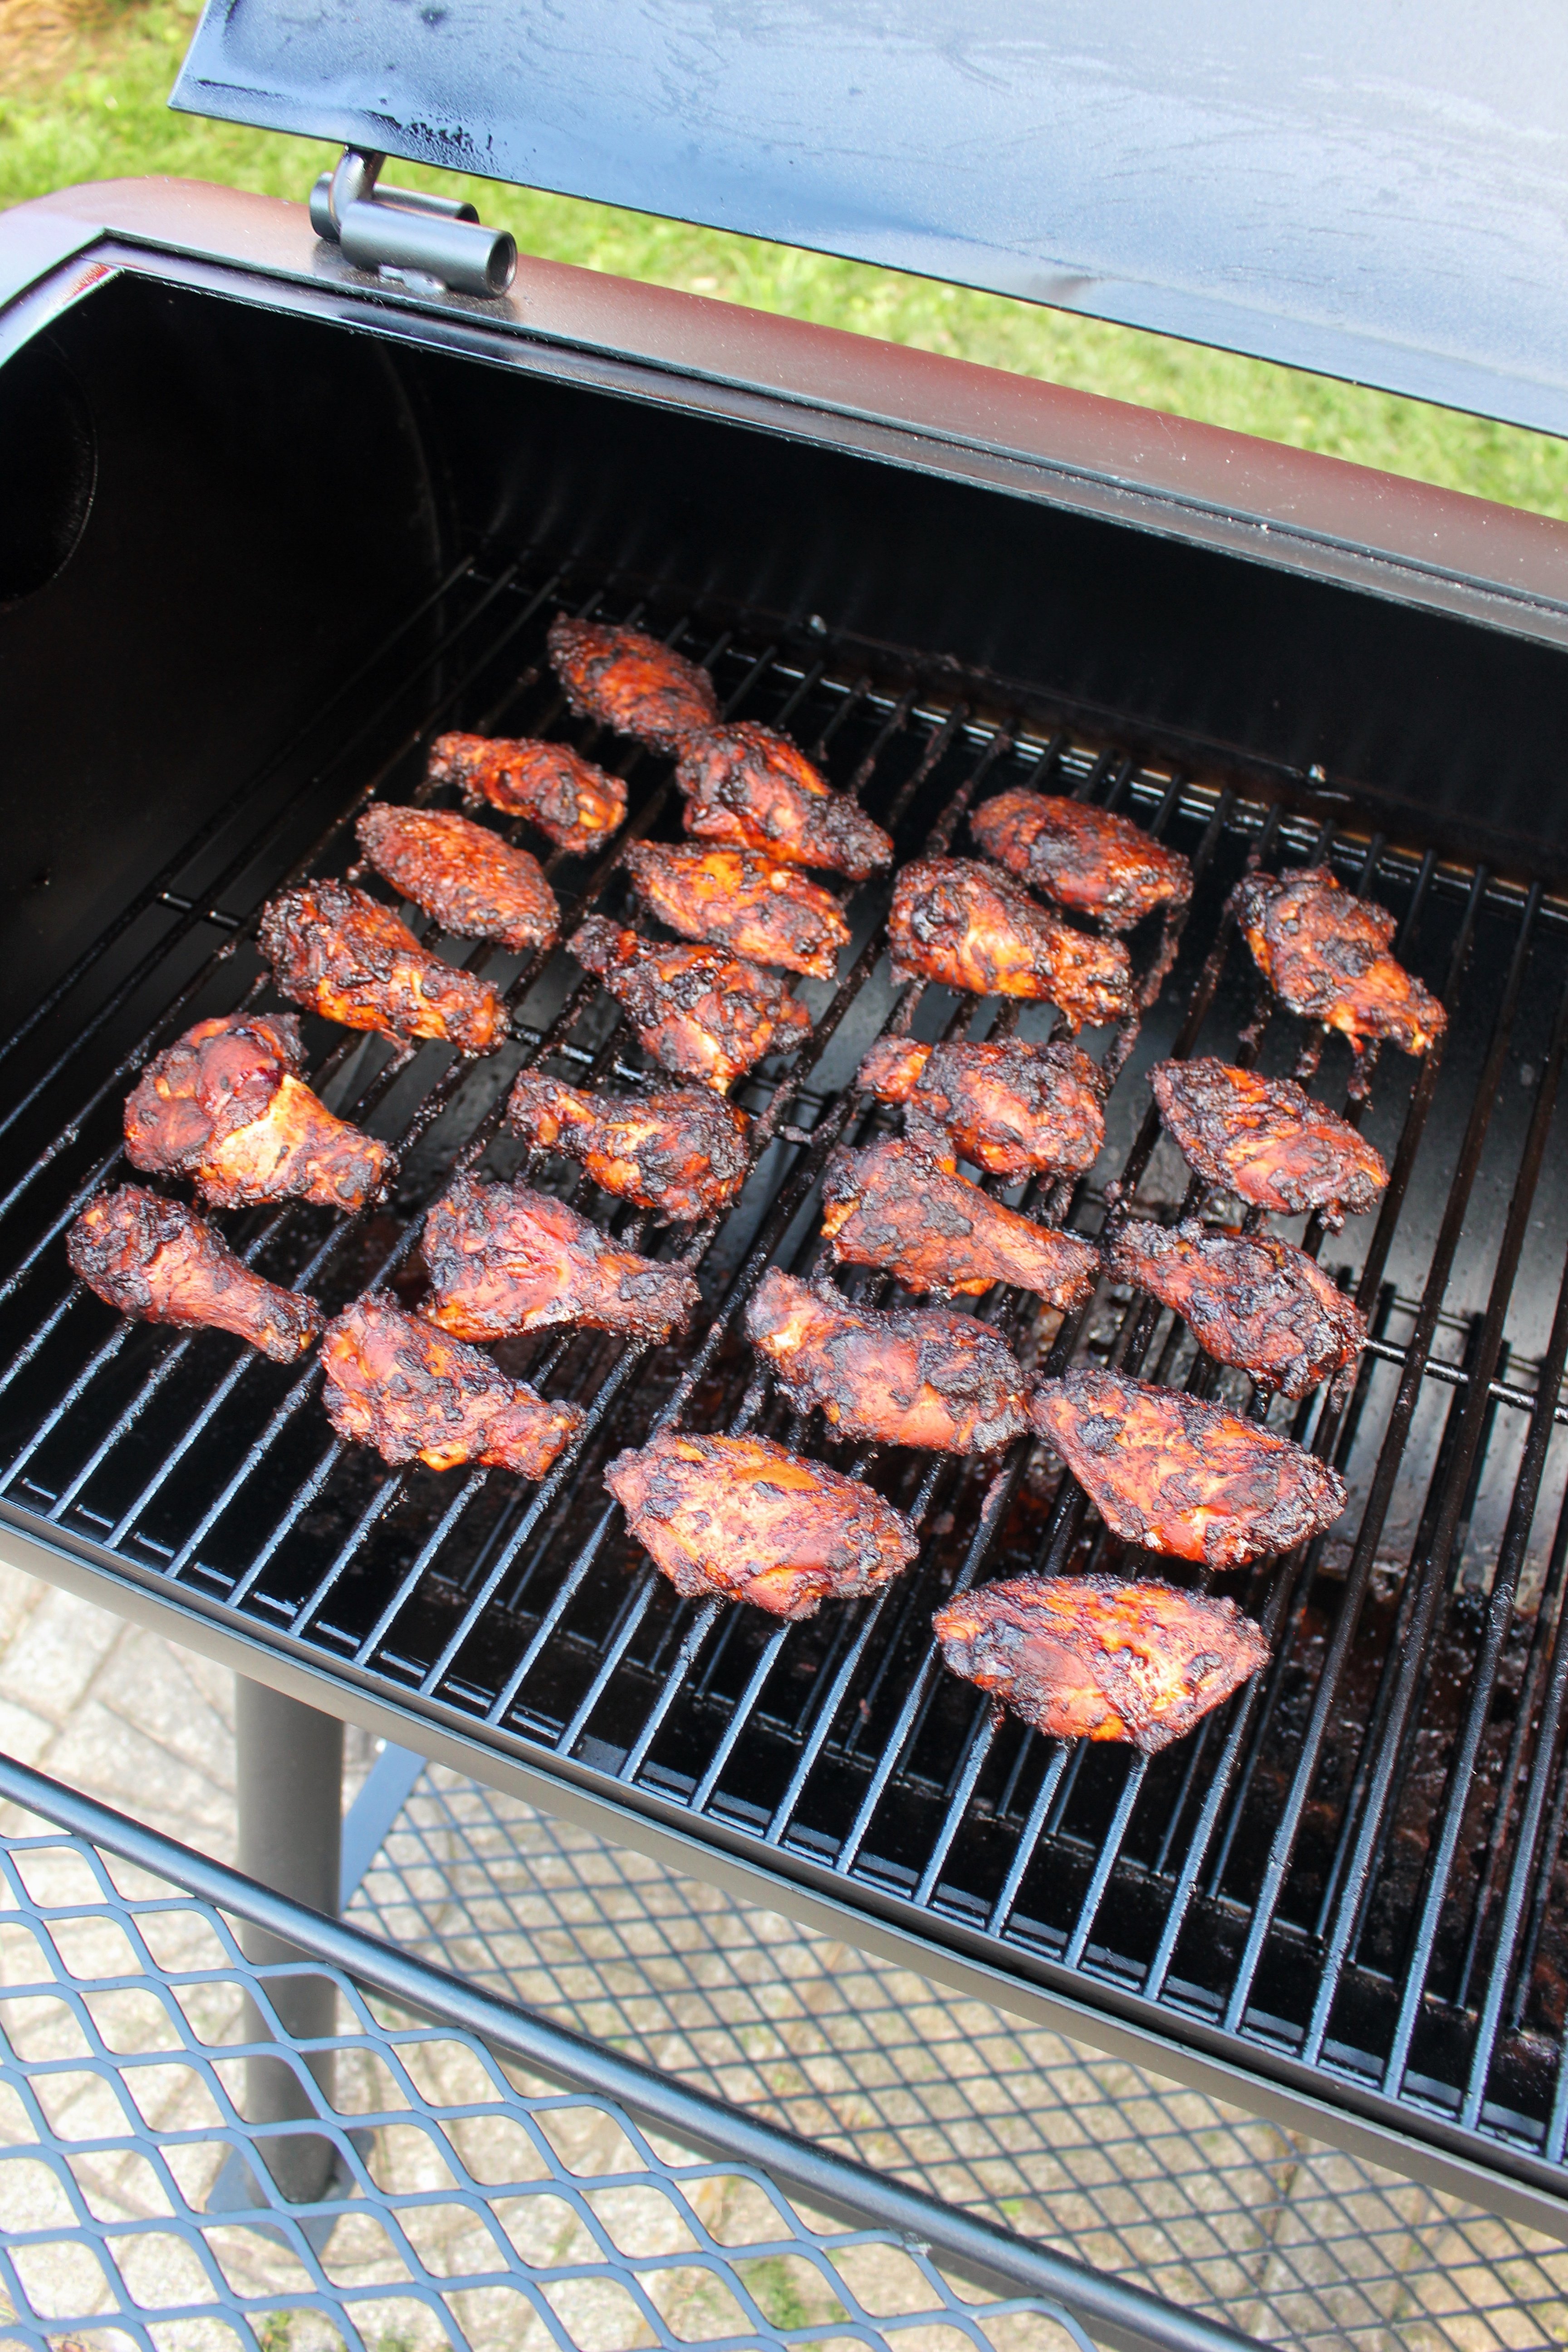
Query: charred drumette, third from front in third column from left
[{"x": 897, "y": 1205}]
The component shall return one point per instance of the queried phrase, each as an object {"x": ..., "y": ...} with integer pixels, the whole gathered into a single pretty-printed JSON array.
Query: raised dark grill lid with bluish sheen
[{"x": 1372, "y": 189}]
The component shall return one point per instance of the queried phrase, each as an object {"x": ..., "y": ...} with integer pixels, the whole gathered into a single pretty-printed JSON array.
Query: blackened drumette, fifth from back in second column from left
[{"x": 681, "y": 1154}]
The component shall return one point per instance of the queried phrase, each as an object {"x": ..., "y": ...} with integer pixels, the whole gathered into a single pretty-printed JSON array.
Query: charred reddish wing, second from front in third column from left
[{"x": 918, "y": 1379}]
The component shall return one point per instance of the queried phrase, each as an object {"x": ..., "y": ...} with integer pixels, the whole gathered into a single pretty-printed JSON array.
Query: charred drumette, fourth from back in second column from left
[{"x": 697, "y": 1010}]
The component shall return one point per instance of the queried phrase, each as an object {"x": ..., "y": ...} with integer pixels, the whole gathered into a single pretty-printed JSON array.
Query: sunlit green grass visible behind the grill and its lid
[{"x": 105, "y": 116}]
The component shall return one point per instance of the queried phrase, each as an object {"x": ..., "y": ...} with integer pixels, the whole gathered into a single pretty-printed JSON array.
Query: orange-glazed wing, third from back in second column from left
[{"x": 760, "y": 909}]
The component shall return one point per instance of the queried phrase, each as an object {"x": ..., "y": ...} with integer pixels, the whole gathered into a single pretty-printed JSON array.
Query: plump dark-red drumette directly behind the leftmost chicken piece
[{"x": 227, "y": 1109}]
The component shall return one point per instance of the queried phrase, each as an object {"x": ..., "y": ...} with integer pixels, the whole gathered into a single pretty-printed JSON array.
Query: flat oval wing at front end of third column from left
[{"x": 749, "y": 1523}]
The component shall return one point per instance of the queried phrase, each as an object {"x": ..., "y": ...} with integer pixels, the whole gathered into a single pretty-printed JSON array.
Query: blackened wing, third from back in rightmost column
[{"x": 1249, "y": 1302}]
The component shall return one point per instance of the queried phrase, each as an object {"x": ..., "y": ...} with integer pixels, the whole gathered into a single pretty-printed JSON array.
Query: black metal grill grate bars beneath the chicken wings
[{"x": 1353, "y": 1866}]
